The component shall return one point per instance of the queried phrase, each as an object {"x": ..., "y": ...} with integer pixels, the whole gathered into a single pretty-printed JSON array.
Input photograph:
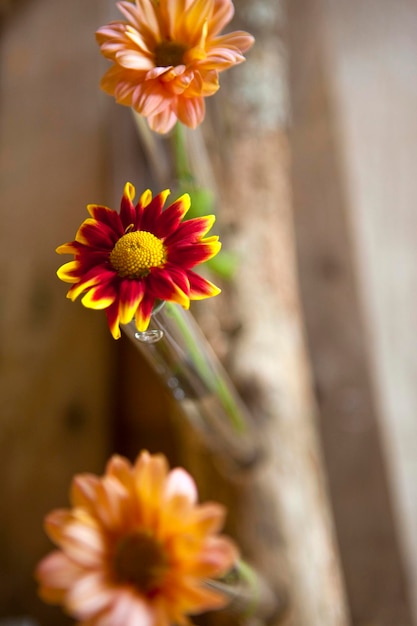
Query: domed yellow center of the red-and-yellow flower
[{"x": 136, "y": 253}]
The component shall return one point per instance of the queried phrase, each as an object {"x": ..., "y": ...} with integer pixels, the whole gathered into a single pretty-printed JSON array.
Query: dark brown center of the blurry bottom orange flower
[{"x": 141, "y": 561}]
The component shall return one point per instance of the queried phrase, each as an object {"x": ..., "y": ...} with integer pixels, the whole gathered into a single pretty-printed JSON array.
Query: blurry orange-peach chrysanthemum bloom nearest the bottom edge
[{"x": 136, "y": 548}]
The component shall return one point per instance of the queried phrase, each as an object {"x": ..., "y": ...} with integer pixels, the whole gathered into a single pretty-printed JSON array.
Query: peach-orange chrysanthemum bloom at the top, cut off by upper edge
[{"x": 167, "y": 57}]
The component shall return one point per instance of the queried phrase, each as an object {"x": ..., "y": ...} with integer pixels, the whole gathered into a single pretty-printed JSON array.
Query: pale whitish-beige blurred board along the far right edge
[{"x": 371, "y": 51}]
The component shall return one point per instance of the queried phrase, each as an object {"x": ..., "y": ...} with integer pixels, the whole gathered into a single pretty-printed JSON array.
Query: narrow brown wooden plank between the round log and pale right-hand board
[{"x": 339, "y": 344}]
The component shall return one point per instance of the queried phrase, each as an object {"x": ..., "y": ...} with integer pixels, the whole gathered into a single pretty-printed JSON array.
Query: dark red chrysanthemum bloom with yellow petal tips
[{"x": 124, "y": 262}]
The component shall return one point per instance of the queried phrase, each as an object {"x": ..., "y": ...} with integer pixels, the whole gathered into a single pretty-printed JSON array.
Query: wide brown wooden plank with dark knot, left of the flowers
[{"x": 54, "y": 355}]
